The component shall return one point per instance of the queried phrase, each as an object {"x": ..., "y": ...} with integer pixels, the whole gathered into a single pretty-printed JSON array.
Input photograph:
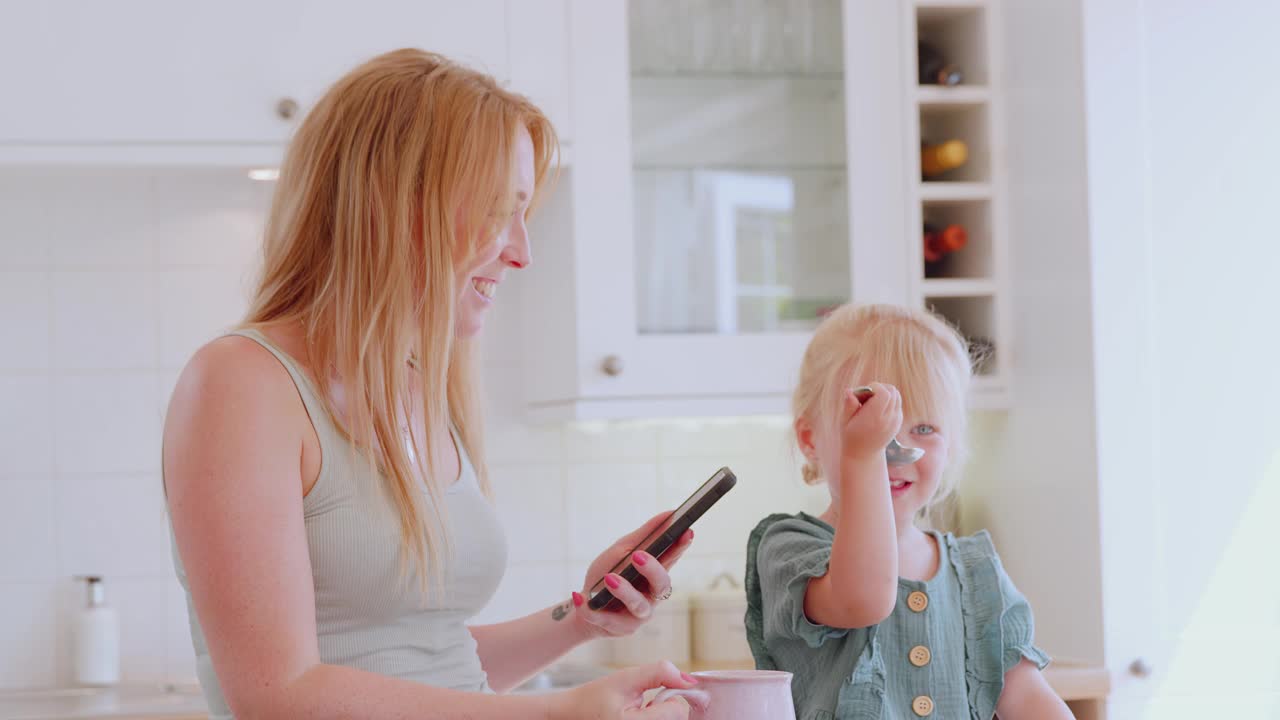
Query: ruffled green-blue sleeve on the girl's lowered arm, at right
[{"x": 999, "y": 627}]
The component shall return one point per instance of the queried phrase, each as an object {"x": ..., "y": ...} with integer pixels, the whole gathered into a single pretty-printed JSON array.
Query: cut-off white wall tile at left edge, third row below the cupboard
[{"x": 26, "y": 425}]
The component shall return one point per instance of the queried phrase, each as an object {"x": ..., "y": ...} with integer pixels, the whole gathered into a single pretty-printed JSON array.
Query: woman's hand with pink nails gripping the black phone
[{"x": 638, "y": 604}]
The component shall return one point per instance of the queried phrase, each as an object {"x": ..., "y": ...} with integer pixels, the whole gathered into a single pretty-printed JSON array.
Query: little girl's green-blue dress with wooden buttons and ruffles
[{"x": 941, "y": 655}]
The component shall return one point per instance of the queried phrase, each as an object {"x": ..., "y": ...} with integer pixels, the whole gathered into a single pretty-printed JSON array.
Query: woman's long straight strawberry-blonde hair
[{"x": 401, "y": 171}]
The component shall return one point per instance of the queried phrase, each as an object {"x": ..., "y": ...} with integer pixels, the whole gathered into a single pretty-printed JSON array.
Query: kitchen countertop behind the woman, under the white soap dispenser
[{"x": 150, "y": 703}]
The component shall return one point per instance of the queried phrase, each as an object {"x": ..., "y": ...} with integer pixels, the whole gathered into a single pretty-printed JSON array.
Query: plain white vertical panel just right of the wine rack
[{"x": 1035, "y": 477}]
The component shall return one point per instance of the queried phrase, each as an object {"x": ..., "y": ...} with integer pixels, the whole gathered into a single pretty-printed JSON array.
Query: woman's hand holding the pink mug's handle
[{"x": 621, "y": 695}]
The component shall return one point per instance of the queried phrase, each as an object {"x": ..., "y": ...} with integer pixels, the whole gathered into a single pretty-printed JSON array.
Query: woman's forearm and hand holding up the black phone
[{"x": 511, "y": 653}]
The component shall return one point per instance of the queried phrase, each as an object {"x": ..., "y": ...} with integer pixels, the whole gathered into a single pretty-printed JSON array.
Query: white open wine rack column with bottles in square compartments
[{"x": 967, "y": 288}]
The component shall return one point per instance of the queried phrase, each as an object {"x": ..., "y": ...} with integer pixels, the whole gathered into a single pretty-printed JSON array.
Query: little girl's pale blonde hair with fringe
[{"x": 915, "y": 350}]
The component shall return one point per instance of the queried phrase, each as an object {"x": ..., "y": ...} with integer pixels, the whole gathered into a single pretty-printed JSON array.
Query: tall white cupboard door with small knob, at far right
[{"x": 1182, "y": 195}]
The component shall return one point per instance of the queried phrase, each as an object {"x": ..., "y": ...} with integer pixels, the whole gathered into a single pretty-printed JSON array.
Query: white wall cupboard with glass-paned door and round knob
[{"x": 737, "y": 168}]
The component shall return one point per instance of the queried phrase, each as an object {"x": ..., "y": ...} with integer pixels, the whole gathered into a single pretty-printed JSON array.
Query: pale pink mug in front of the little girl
[{"x": 738, "y": 695}]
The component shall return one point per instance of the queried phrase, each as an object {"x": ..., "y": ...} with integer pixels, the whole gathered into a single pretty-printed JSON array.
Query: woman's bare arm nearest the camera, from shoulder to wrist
[{"x": 232, "y": 458}]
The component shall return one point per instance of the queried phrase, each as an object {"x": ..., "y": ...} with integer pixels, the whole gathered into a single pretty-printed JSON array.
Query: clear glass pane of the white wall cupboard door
[{"x": 740, "y": 199}]
